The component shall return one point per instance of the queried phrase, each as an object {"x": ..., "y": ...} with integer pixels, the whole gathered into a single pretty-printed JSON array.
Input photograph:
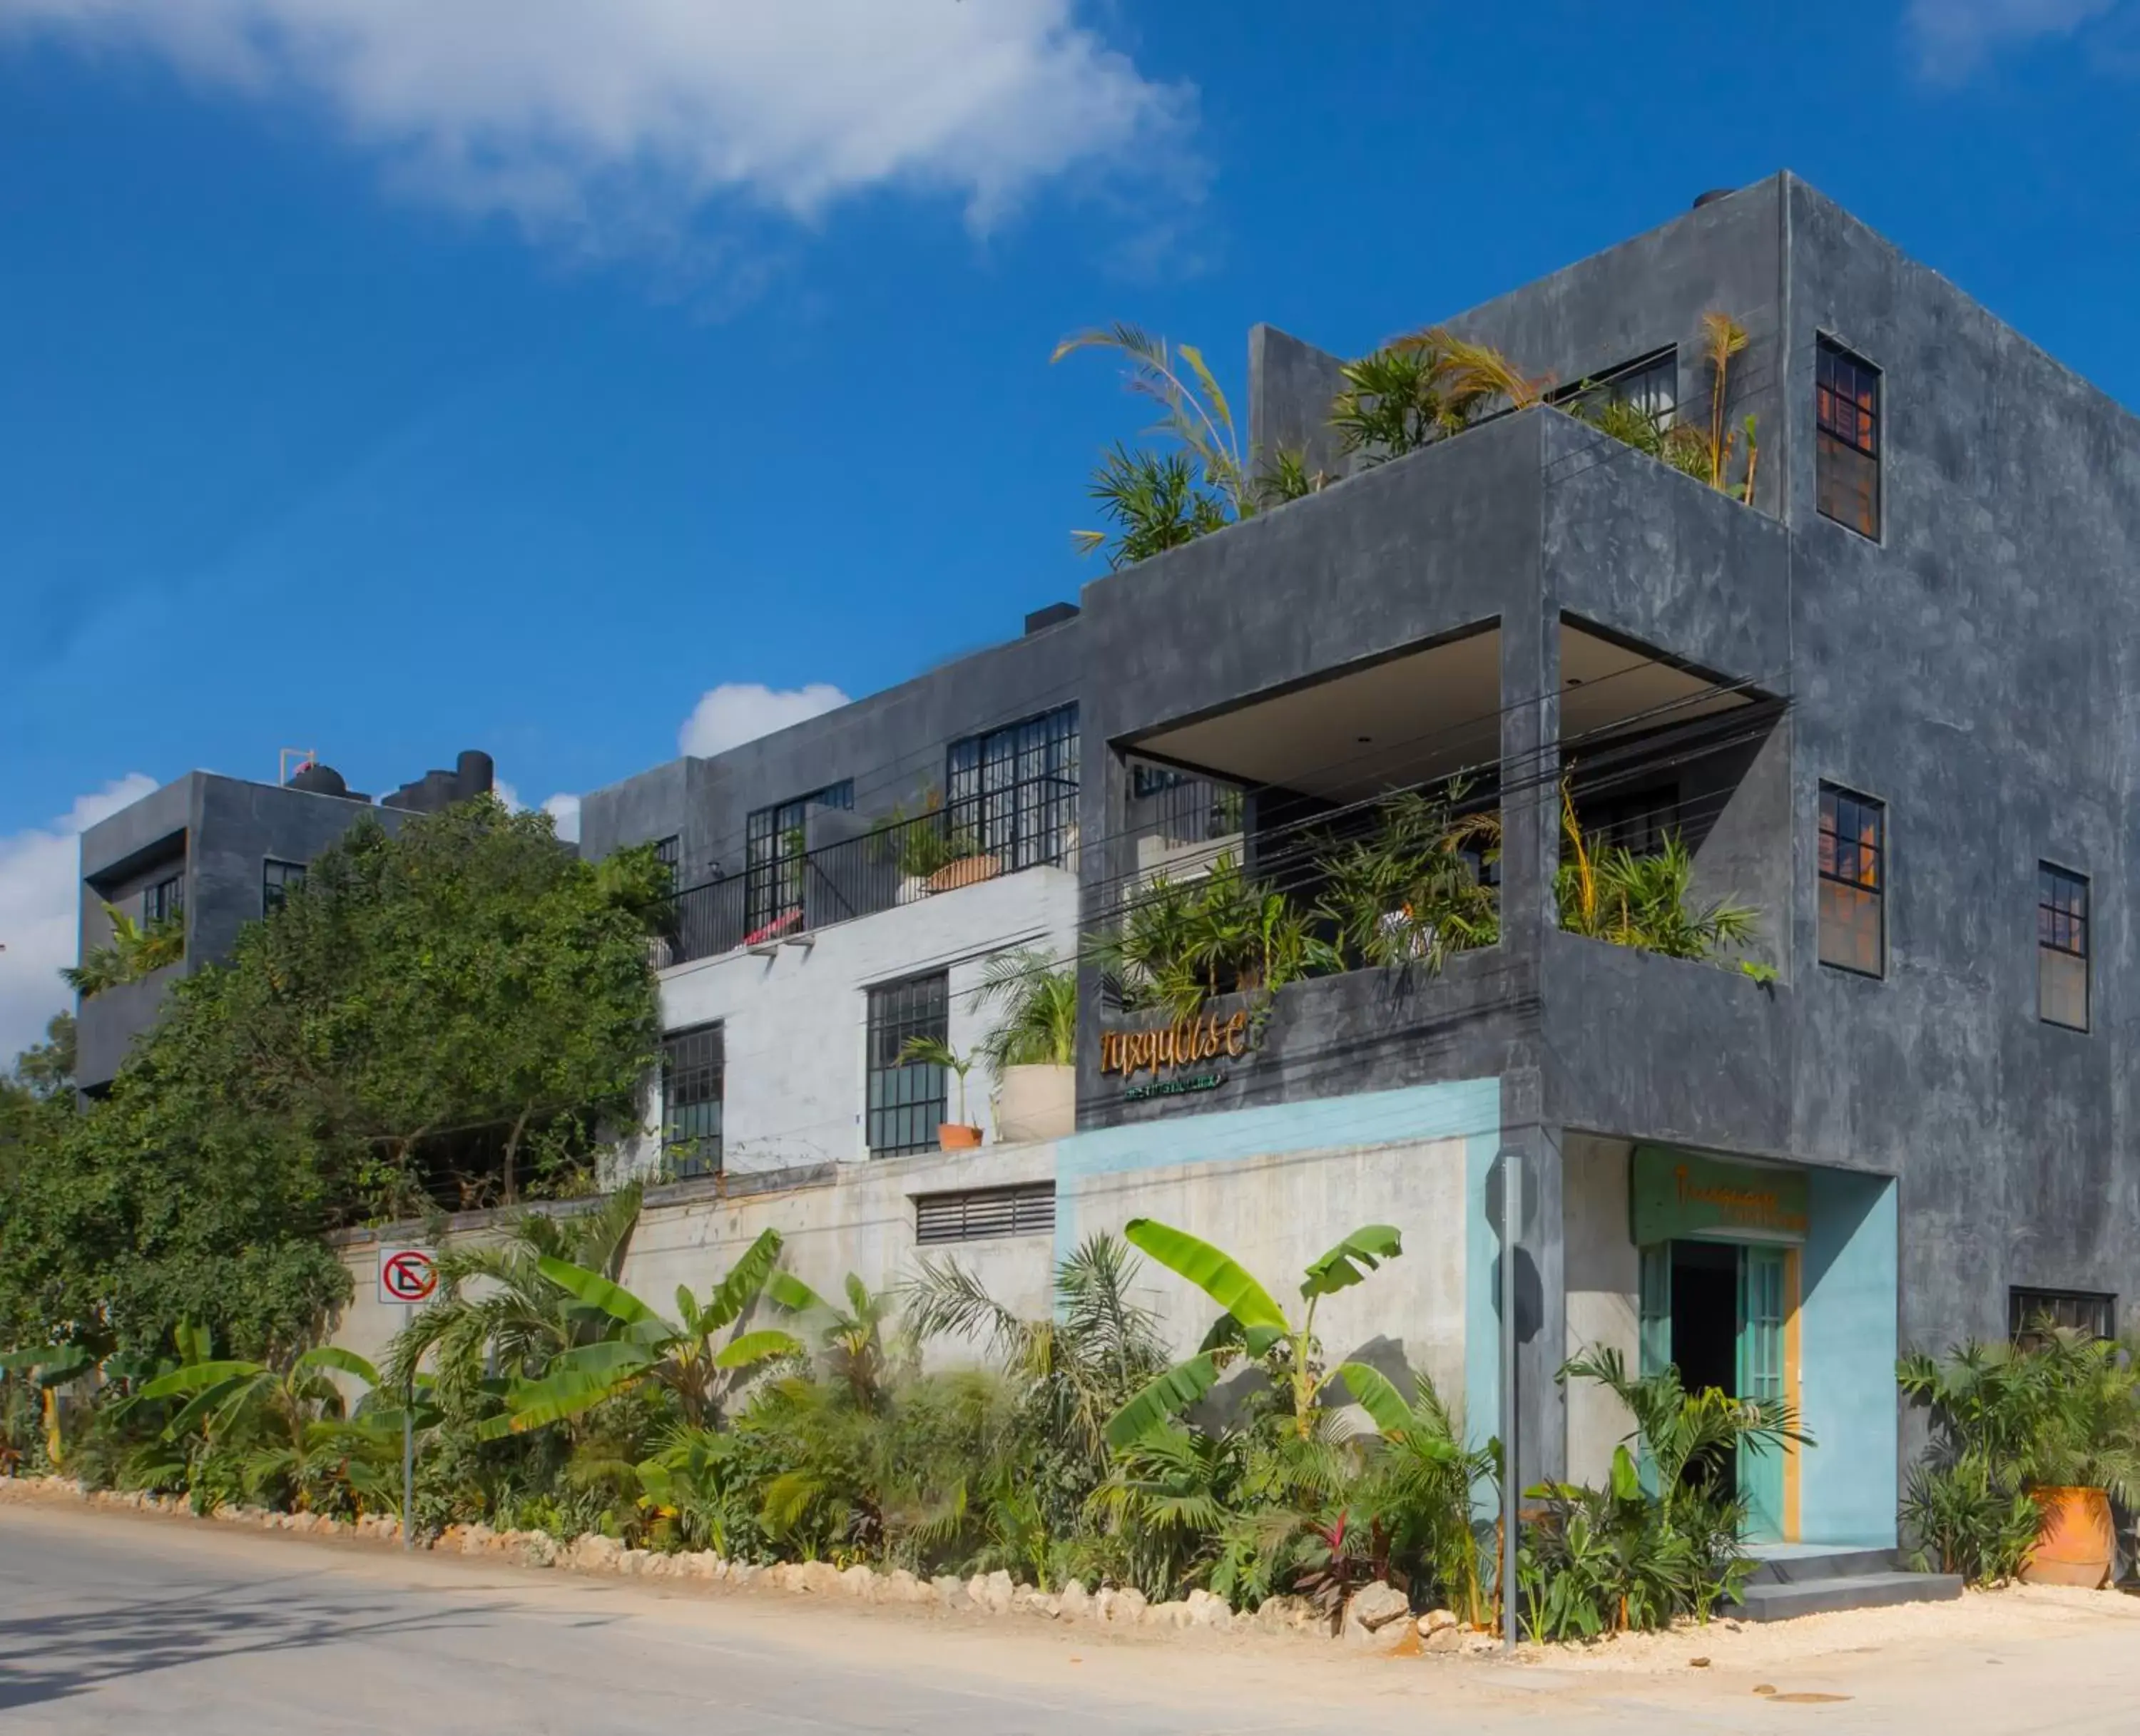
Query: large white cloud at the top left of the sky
[{"x": 617, "y": 121}]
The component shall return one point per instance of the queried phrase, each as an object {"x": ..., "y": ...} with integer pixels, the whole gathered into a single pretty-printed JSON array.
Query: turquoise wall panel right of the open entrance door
[{"x": 1848, "y": 1347}]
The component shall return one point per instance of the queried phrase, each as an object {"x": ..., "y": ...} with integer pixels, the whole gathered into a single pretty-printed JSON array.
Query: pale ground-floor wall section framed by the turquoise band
[{"x": 1281, "y": 1213}]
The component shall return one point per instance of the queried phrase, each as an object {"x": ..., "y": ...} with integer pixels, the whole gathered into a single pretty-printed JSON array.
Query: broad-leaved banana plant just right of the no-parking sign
[{"x": 694, "y": 1356}]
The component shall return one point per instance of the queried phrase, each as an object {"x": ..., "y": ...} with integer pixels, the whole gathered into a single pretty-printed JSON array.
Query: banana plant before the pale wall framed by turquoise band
[{"x": 1259, "y": 1326}]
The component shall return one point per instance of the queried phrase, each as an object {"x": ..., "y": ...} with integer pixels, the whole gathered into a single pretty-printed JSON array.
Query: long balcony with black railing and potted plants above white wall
[{"x": 795, "y": 894}]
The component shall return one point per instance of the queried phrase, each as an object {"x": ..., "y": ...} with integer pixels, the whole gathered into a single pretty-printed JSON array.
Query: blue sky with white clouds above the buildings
[{"x": 401, "y": 376}]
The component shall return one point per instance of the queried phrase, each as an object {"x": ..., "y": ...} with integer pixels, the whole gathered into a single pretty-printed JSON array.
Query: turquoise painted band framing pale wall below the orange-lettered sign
[{"x": 1463, "y": 1110}]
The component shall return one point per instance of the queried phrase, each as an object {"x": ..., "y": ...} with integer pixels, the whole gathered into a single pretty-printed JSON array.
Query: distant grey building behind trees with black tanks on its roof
[{"x": 217, "y": 853}]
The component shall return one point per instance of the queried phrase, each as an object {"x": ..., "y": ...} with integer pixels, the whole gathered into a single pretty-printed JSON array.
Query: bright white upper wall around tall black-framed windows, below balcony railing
[{"x": 797, "y": 1020}]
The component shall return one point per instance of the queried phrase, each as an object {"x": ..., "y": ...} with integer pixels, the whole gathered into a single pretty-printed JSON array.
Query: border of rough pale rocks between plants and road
[{"x": 985, "y": 1594}]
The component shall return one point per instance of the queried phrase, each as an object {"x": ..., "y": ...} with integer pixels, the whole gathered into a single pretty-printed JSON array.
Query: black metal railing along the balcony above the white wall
[{"x": 898, "y": 864}]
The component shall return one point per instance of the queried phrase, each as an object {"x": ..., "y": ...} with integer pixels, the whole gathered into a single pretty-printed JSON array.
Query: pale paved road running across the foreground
[{"x": 132, "y": 1624}]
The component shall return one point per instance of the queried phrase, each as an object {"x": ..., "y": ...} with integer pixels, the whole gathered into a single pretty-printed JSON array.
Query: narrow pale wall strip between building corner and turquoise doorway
[{"x": 1604, "y": 1294}]
